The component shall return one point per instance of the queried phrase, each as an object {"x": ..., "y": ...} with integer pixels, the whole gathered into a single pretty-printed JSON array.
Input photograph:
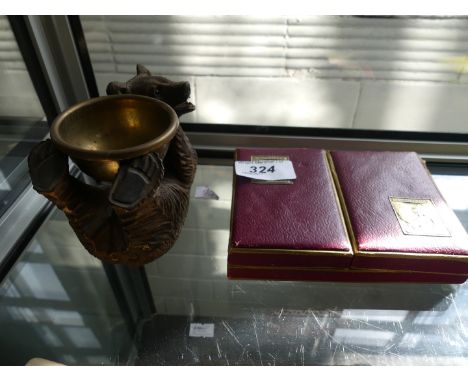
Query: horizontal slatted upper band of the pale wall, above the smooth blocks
[{"x": 407, "y": 48}]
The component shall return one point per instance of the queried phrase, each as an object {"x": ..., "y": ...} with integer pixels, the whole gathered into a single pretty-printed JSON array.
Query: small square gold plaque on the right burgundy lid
[{"x": 418, "y": 217}]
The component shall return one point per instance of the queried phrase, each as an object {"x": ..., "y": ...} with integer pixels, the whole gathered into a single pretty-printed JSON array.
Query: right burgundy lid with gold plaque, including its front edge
[{"x": 396, "y": 216}]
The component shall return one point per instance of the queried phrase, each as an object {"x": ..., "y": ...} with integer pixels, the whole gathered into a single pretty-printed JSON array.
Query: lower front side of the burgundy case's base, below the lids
[{"x": 266, "y": 273}]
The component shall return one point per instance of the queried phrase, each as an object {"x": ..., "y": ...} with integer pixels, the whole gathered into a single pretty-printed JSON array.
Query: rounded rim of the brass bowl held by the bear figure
[{"x": 117, "y": 154}]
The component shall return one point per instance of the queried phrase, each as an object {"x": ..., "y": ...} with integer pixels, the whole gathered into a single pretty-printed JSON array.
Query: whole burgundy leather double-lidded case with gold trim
[{"x": 398, "y": 227}]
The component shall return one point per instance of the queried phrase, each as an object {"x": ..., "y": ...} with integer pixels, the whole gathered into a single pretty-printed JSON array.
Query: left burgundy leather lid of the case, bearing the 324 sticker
[{"x": 302, "y": 216}]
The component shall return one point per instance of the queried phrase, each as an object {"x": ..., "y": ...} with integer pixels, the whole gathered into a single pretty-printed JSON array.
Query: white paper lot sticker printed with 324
[{"x": 266, "y": 169}]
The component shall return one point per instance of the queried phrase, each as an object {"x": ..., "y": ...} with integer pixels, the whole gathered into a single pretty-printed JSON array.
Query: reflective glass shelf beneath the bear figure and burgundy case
[{"x": 57, "y": 303}]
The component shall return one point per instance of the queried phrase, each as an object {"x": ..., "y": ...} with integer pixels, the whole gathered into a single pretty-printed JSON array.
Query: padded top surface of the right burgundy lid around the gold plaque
[{"x": 370, "y": 180}]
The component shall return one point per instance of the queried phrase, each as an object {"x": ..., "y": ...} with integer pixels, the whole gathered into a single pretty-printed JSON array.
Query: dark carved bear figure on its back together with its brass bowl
[{"x": 138, "y": 217}]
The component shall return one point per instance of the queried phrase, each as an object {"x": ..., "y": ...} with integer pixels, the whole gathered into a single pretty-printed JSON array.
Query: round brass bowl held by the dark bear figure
[{"x": 98, "y": 133}]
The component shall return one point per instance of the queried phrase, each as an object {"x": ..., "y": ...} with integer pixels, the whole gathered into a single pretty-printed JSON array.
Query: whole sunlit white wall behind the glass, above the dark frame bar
[{"x": 323, "y": 71}]
